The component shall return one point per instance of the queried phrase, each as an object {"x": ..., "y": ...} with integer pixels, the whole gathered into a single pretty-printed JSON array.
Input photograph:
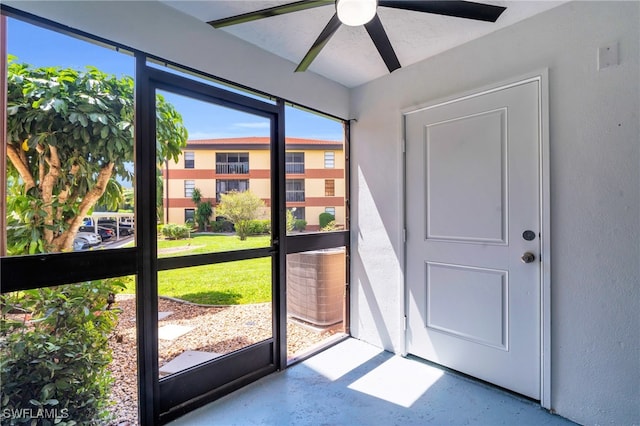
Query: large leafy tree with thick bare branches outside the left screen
[{"x": 70, "y": 135}]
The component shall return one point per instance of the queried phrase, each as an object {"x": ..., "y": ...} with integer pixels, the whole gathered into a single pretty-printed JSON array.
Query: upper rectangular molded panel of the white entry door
[{"x": 440, "y": 165}]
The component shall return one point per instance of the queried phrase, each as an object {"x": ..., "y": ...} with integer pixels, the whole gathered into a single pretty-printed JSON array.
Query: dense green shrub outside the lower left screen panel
[{"x": 60, "y": 359}]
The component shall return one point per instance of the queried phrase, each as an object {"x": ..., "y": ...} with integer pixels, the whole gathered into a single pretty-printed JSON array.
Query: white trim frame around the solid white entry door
[{"x": 540, "y": 77}]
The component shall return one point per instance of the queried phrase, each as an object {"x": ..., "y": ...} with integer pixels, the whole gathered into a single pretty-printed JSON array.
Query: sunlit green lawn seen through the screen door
[{"x": 231, "y": 283}]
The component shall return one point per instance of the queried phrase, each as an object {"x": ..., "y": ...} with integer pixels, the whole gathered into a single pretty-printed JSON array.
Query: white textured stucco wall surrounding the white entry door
[{"x": 595, "y": 194}]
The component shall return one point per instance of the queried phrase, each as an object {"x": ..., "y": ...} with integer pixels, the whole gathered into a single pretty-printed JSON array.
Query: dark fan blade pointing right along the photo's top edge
[{"x": 459, "y": 9}]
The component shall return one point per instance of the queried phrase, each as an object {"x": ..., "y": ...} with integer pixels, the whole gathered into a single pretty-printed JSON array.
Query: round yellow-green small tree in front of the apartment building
[{"x": 240, "y": 208}]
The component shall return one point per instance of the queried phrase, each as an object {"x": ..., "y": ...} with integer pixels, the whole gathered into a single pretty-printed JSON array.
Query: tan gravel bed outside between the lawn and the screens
[{"x": 219, "y": 329}]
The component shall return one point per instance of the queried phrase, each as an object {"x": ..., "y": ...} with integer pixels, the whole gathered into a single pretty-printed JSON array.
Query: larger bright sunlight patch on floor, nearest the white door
[{"x": 398, "y": 380}]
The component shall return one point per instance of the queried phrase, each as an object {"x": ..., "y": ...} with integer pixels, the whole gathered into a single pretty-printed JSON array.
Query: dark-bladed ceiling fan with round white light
[{"x": 364, "y": 12}]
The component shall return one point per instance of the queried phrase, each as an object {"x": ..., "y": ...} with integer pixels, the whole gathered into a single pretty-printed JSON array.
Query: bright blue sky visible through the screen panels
[{"x": 42, "y": 47}]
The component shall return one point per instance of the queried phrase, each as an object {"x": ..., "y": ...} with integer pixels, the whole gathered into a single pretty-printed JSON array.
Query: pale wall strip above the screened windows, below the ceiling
[{"x": 157, "y": 29}]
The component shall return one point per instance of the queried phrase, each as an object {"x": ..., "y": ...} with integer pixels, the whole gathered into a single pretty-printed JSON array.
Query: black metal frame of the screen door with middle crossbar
[{"x": 177, "y": 394}]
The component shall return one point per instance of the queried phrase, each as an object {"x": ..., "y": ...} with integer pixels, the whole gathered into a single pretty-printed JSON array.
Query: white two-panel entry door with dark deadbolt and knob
[{"x": 473, "y": 236}]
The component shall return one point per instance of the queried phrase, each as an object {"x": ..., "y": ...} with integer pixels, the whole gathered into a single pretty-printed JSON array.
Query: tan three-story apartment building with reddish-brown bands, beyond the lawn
[{"x": 315, "y": 178}]
